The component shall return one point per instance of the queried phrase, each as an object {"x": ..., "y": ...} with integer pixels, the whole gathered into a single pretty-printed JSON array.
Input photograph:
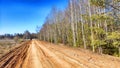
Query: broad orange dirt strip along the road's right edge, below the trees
[{"x": 89, "y": 60}]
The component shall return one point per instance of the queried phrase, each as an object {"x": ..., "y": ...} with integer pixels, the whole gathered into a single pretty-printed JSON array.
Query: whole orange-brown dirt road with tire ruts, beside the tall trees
[{"x": 38, "y": 54}]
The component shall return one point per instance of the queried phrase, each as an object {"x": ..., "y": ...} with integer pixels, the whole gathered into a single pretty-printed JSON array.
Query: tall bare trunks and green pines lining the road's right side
[{"x": 89, "y": 24}]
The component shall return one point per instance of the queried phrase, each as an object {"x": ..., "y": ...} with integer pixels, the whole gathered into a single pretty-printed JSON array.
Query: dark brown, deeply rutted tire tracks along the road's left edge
[{"x": 12, "y": 58}]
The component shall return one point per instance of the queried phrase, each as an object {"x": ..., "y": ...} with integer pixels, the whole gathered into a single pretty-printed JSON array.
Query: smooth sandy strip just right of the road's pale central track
[{"x": 57, "y": 62}]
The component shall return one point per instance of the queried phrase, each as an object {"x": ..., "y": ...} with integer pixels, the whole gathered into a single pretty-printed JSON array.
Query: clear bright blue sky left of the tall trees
[{"x": 16, "y": 16}]
